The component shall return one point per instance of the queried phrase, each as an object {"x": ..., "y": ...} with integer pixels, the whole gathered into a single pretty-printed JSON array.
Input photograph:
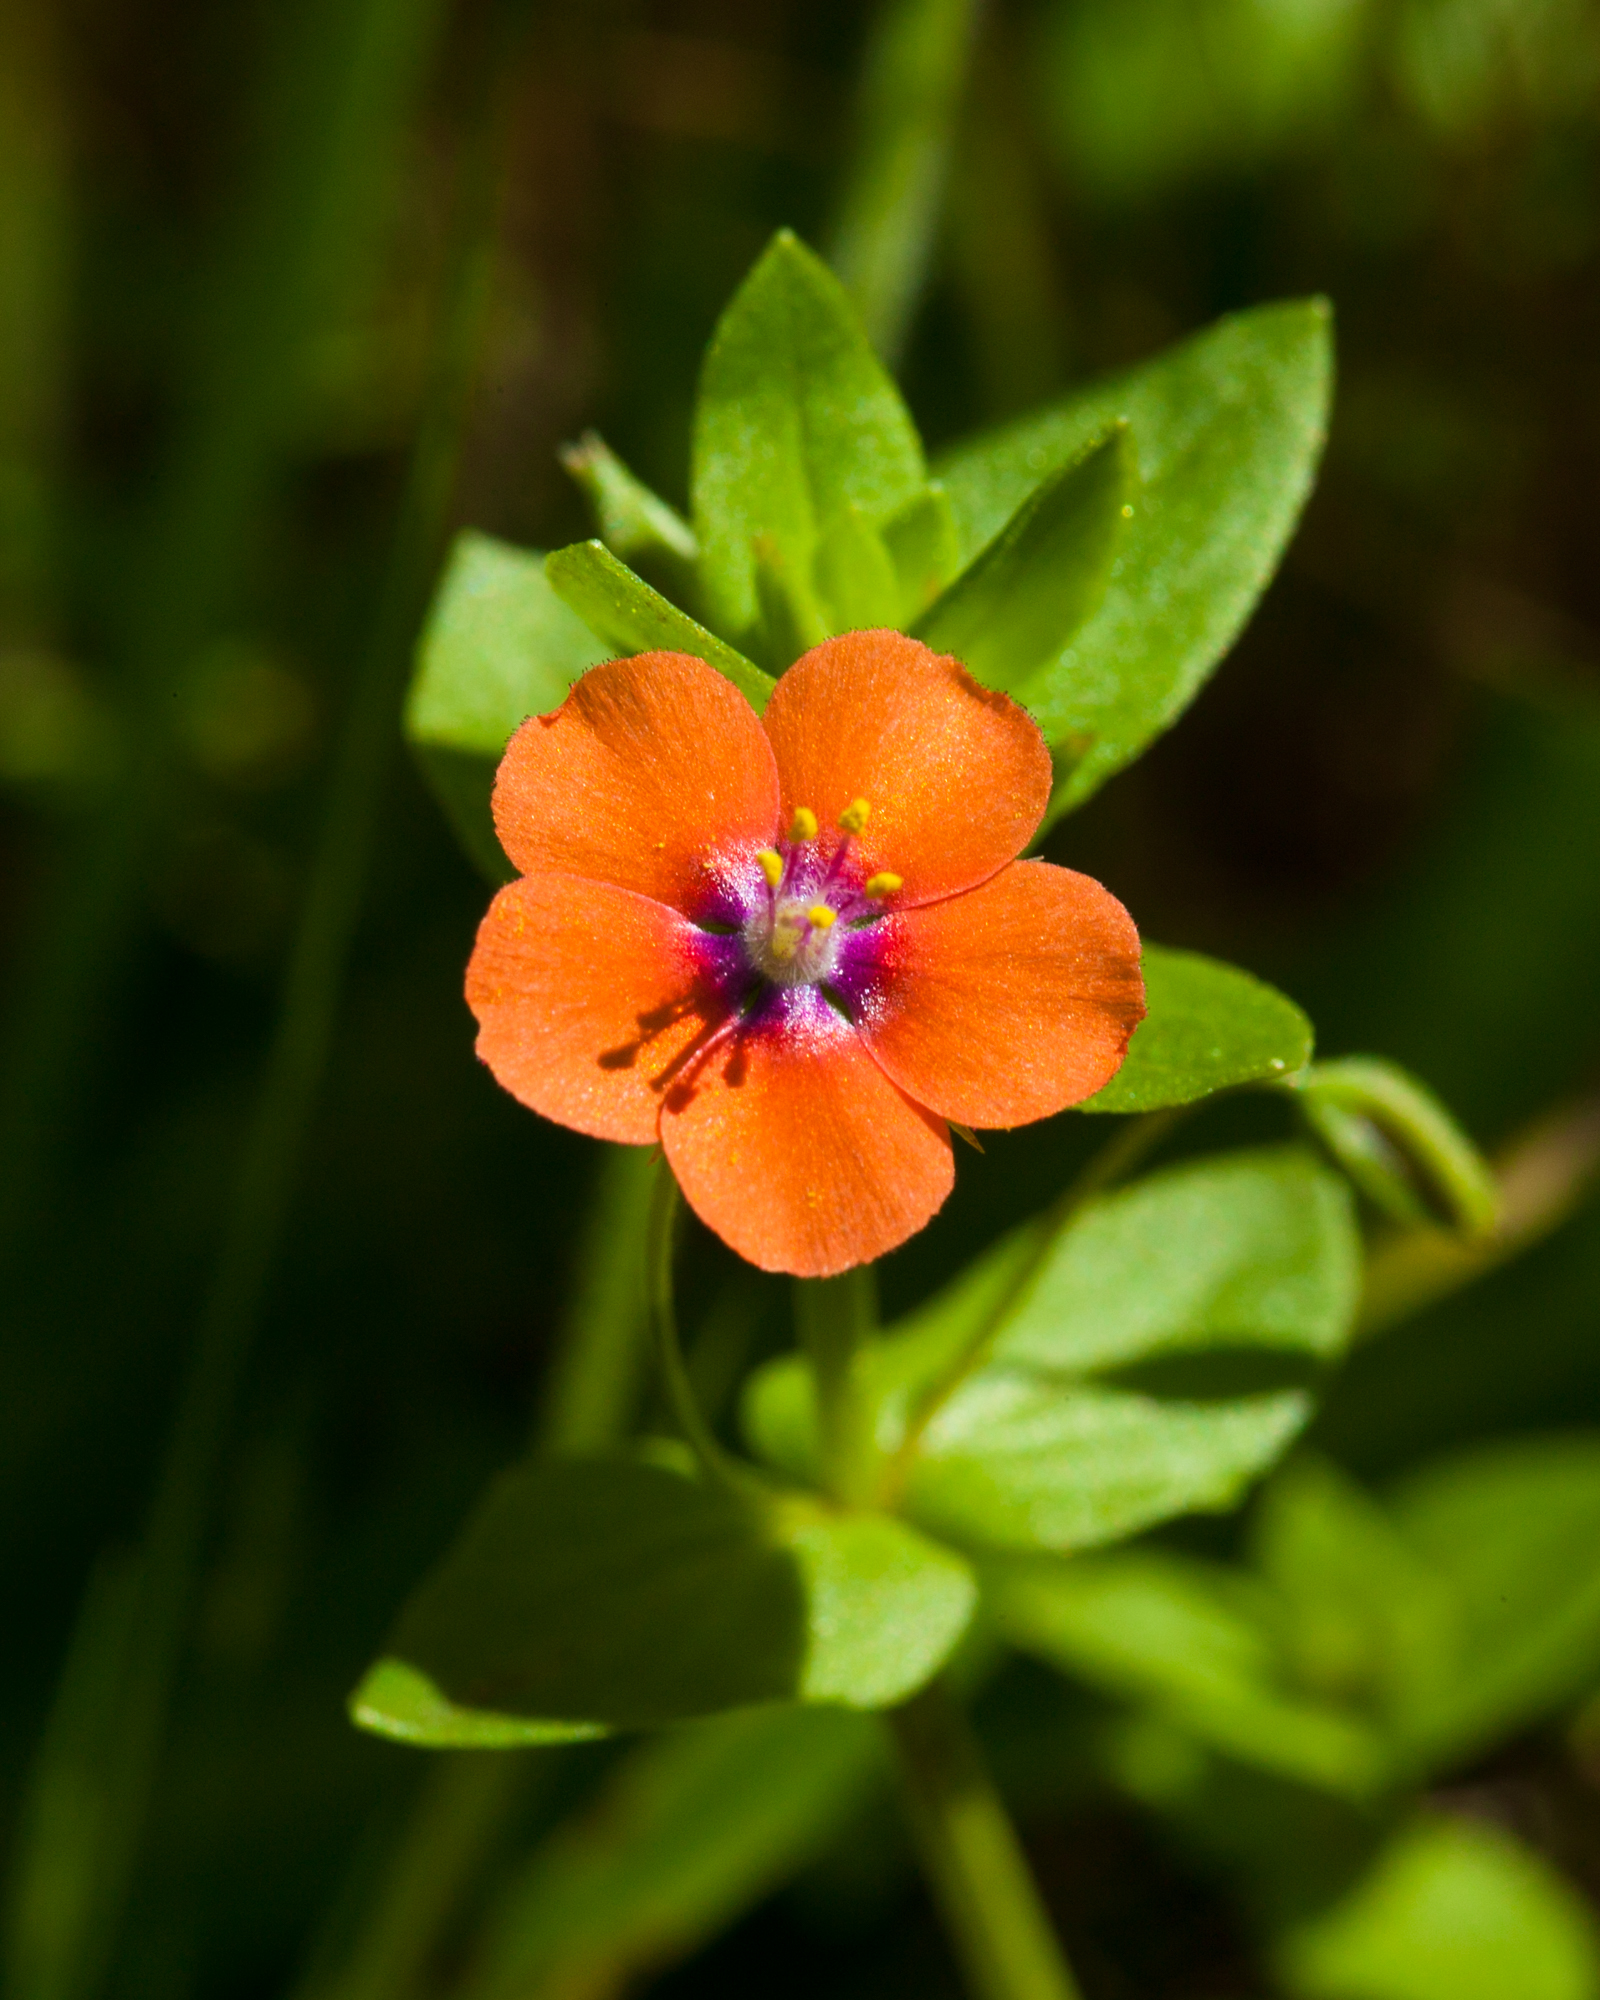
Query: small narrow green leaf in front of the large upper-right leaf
[{"x": 1023, "y": 597}]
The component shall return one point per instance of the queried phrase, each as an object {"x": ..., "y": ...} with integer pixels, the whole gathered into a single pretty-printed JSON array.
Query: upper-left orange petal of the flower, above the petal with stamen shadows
[{"x": 653, "y": 775}]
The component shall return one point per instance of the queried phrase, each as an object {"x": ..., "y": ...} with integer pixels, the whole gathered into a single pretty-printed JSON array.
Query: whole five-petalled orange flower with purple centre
[{"x": 791, "y": 947}]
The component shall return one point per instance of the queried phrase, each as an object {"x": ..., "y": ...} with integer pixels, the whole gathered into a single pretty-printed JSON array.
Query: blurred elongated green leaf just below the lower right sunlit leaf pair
[{"x": 1193, "y": 1643}]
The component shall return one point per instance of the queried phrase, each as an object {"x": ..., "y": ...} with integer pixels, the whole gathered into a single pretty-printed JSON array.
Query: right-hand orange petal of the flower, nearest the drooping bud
[{"x": 1009, "y": 1003}]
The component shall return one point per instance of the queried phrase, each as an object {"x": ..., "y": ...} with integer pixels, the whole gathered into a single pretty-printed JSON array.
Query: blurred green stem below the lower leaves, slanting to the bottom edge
[{"x": 973, "y": 1859}]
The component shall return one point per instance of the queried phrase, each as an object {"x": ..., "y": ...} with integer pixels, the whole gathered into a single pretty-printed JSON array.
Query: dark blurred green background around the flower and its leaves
[{"x": 287, "y": 293}]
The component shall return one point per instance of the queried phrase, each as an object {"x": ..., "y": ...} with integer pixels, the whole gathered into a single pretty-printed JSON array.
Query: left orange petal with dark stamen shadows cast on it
[{"x": 587, "y": 997}]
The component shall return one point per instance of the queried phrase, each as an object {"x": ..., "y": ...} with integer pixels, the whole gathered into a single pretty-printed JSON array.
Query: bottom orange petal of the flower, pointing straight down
[{"x": 795, "y": 1147}]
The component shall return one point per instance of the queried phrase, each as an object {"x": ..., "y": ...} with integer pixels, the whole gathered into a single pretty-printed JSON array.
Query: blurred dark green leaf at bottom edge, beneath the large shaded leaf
[{"x": 687, "y": 1835}]
